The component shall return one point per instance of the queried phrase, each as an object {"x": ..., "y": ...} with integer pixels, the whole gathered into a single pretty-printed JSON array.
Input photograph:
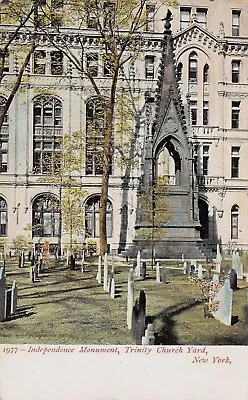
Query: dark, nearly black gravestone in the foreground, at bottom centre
[{"x": 138, "y": 320}]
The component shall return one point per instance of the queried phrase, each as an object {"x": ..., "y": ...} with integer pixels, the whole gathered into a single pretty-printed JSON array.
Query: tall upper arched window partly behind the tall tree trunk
[{"x": 95, "y": 131}]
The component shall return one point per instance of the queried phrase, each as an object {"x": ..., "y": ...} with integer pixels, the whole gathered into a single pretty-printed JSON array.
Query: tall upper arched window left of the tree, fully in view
[{"x": 47, "y": 135}]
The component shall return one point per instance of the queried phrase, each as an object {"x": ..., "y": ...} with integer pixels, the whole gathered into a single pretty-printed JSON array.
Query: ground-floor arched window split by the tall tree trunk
[{"x": 92, "y": 217}]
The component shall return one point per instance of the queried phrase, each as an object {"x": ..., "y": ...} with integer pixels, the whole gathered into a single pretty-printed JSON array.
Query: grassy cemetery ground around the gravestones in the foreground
[{"x": 70, "y": 307}]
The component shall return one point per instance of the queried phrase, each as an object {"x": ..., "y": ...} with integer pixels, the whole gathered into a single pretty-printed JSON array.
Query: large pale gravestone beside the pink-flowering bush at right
[{"x": 224, "y": 298}]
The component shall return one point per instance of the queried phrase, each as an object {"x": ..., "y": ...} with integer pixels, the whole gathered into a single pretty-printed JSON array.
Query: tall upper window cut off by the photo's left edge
[{"x": 4, "y": 139}]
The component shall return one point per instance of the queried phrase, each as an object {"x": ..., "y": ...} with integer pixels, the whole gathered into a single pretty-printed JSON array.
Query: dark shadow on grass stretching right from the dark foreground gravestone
[{"x": 167, "y": 334}]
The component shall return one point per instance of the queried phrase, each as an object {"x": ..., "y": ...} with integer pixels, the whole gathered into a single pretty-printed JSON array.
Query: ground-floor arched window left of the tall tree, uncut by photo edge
[{"x": 46, "y": 216}]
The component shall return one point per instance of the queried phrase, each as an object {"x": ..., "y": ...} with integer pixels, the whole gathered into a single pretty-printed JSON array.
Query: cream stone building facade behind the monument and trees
[{"x": 211, "y": 60}]
